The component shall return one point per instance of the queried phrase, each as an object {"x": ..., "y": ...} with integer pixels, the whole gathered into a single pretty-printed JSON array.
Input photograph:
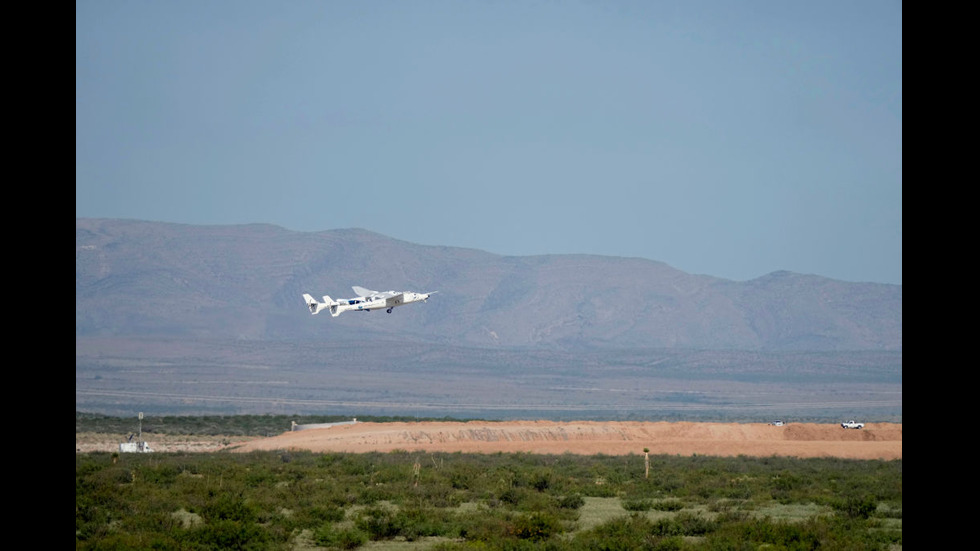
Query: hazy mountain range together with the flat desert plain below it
[{"x": 175, "y": 318}]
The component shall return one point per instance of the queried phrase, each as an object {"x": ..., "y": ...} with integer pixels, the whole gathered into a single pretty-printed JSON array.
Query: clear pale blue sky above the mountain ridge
[{"x": 724, "y": 138}]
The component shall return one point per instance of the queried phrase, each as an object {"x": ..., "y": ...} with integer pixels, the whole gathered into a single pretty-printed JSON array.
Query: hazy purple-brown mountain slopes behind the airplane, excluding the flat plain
[{"x": 159, "y": 280}]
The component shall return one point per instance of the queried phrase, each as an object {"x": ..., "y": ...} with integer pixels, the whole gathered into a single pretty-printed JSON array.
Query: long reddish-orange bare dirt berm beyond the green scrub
[{"x": 875, "y": 441}]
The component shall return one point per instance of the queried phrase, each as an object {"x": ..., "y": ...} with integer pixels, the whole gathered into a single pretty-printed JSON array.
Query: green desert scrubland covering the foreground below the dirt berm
[{"x": 510, "y": 501}]
